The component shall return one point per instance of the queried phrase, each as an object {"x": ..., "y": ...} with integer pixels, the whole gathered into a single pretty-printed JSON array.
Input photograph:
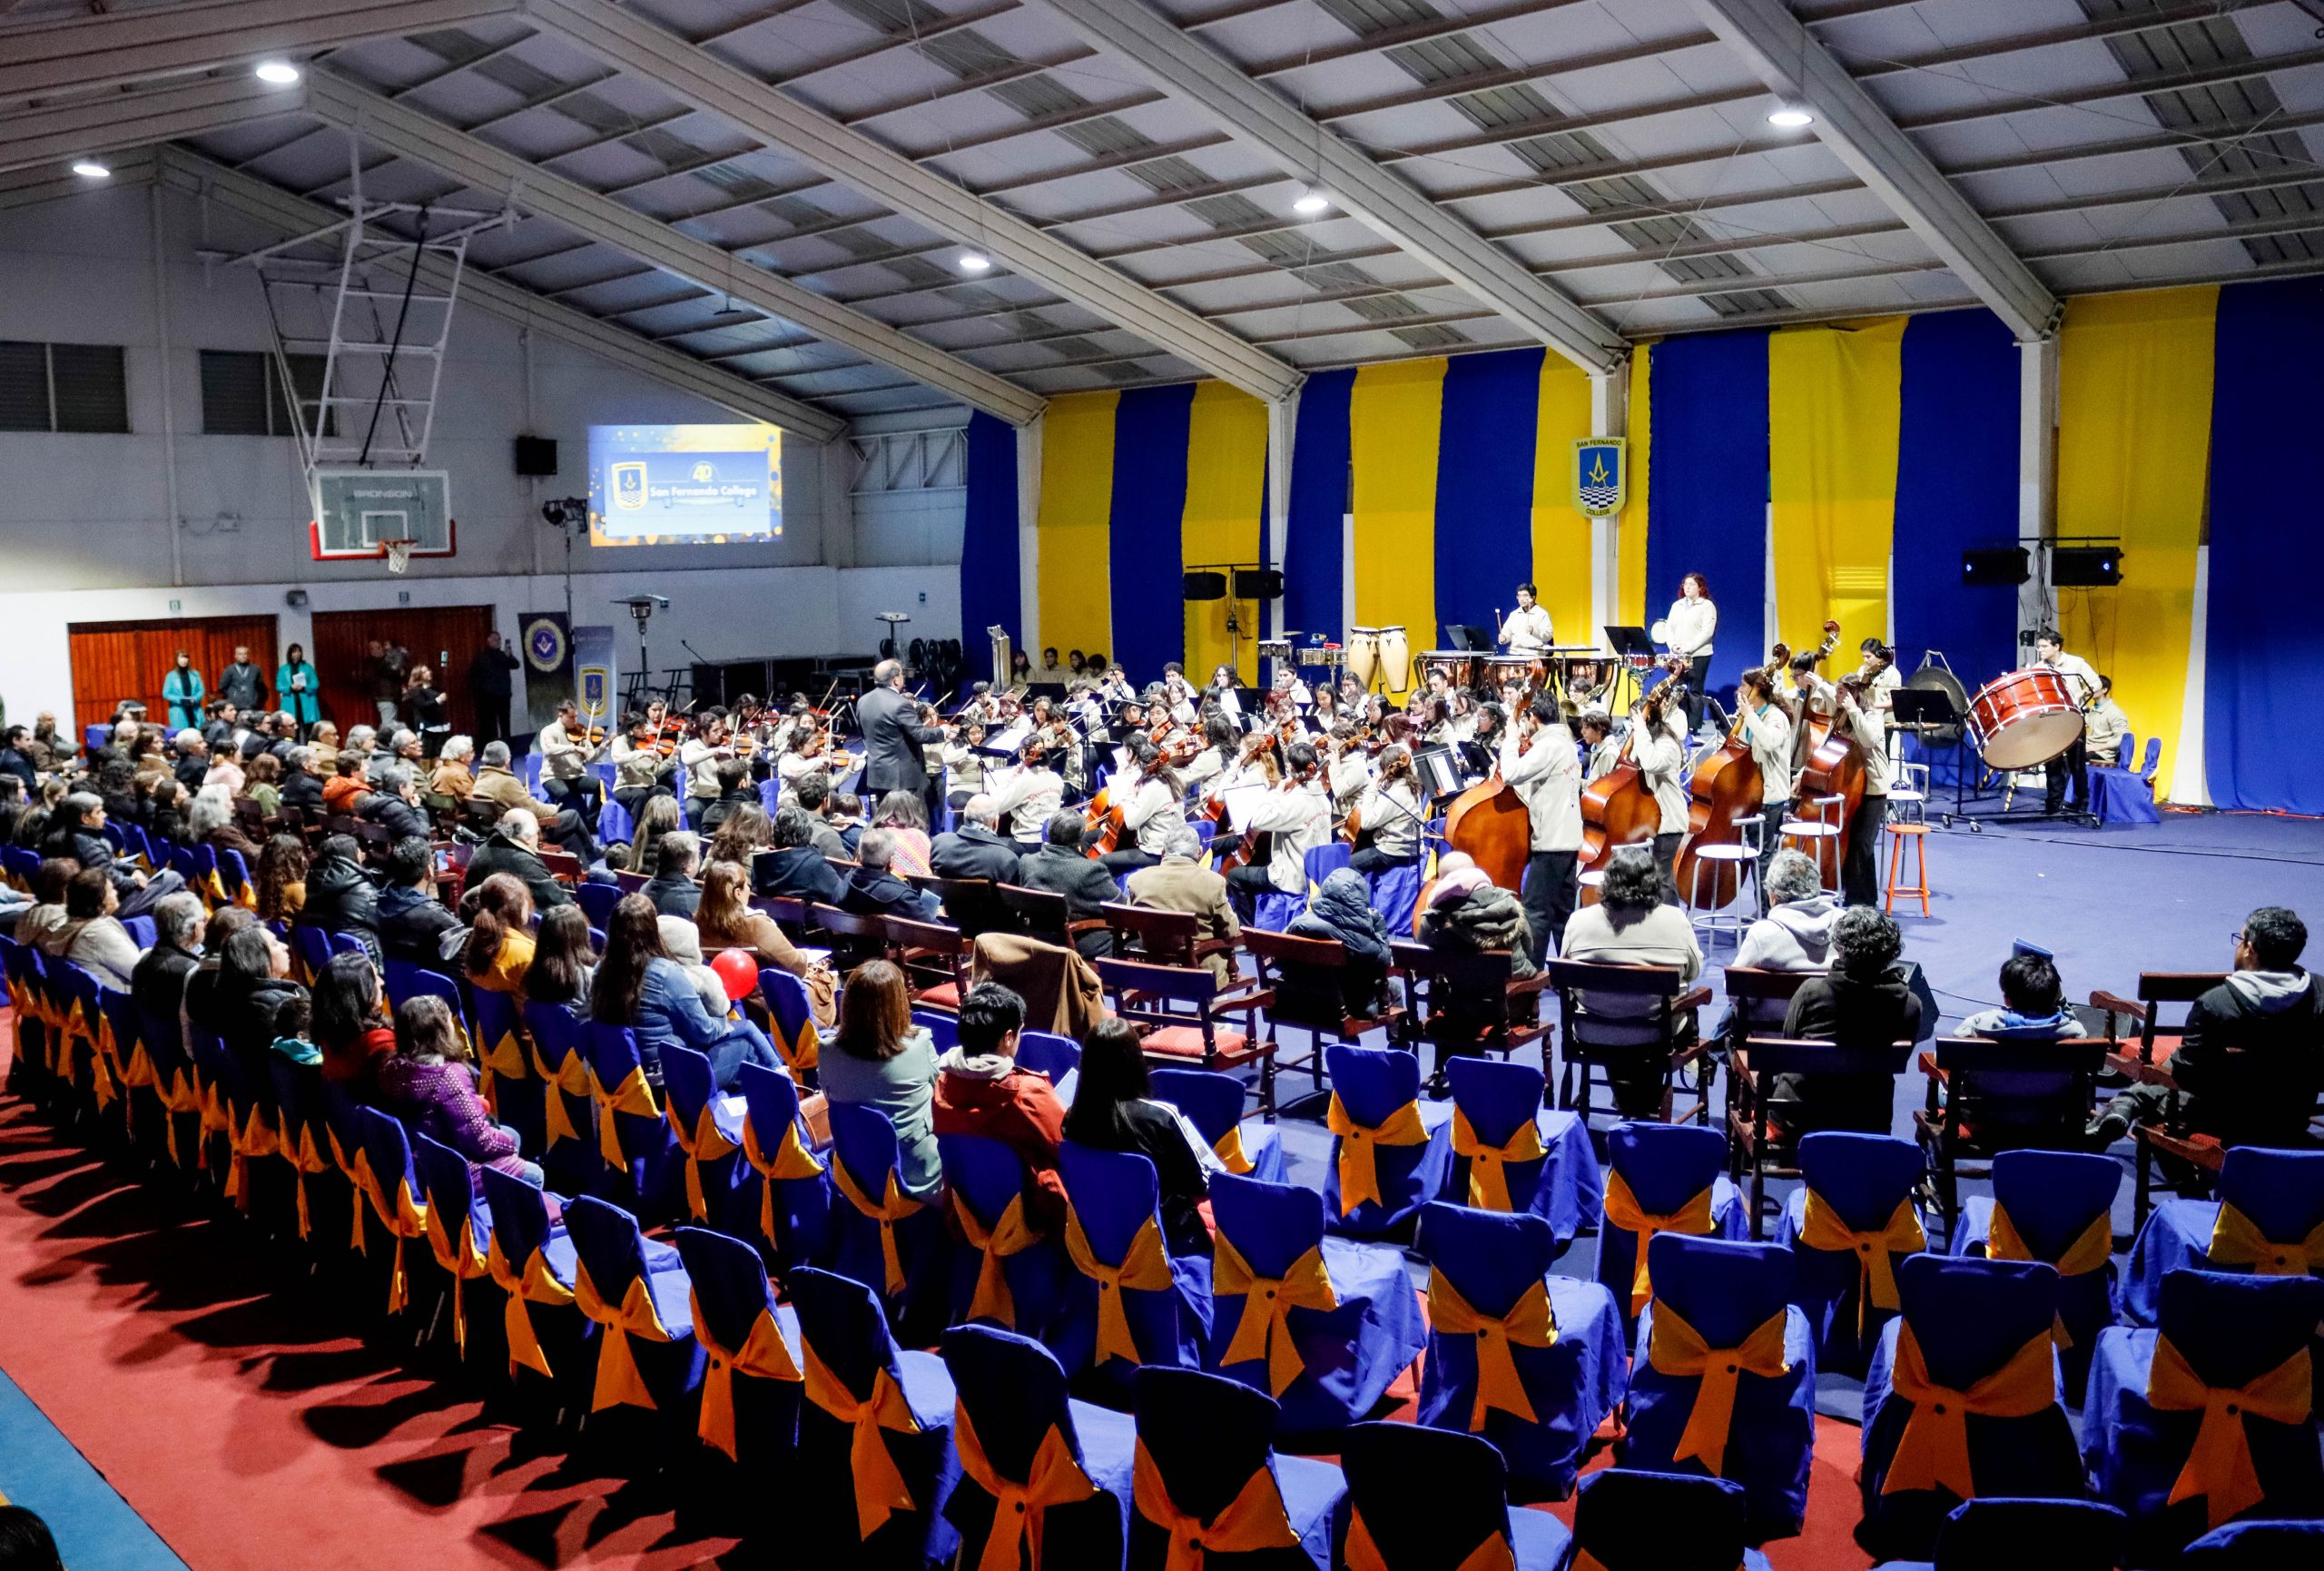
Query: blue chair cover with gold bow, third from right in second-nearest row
[{"x": 1728, "y": 1291}]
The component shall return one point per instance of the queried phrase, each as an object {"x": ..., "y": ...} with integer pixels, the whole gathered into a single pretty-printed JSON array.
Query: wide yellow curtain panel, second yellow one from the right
[{"x": 1835, "y": 406}]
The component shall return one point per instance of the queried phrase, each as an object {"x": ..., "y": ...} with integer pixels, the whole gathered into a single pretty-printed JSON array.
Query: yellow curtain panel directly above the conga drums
[{"x": 1393, "y": 422}]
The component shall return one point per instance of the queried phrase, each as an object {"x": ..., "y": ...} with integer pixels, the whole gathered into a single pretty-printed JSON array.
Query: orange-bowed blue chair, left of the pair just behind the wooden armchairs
[{"x": 1391, "y": 1152}]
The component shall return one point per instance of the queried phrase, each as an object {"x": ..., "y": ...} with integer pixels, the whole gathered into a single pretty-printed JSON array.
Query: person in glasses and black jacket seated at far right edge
[{"x": 2272, "y": 1014}]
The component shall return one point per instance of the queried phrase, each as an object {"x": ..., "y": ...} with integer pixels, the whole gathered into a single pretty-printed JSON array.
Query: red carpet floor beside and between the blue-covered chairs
[{"x": 229, "y": 1405}]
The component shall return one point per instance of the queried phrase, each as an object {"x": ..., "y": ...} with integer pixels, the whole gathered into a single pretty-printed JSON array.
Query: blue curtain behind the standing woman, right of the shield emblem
[{"x": 1707, "y": 510}]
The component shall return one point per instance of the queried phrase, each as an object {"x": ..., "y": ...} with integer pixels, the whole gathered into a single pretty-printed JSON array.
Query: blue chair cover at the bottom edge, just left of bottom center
[{"x": 1012, "y": 1398}]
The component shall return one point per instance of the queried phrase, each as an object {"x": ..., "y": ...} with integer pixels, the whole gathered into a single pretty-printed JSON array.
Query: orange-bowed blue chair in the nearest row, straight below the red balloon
[{"x": 752, "y": 1377}]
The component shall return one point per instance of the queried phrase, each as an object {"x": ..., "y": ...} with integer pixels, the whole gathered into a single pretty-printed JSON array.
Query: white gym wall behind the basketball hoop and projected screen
[{"x": 85, "y": 522}]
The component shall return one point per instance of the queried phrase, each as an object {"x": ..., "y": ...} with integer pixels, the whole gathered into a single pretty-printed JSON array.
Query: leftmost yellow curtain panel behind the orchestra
[{"x": 1077, "y": 512}]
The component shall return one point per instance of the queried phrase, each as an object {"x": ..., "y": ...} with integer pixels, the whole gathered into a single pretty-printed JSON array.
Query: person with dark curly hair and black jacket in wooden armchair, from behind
[{"x": 1860, "y": 1003}]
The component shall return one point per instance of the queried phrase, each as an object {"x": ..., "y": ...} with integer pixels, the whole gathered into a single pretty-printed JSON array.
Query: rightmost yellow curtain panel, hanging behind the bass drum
[{"x": 2135, "y": 461}]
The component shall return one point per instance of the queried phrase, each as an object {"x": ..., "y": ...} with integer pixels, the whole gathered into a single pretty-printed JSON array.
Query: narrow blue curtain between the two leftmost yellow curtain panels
[{"x": 1145, "y": 529}]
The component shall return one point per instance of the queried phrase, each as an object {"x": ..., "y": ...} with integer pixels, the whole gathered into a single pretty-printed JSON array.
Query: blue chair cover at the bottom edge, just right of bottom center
[{"x": 1210, "y": 1440}]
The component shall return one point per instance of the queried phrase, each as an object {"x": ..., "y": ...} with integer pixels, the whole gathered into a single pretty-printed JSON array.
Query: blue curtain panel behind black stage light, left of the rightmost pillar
[{"x": 1956, "y": 489}]
